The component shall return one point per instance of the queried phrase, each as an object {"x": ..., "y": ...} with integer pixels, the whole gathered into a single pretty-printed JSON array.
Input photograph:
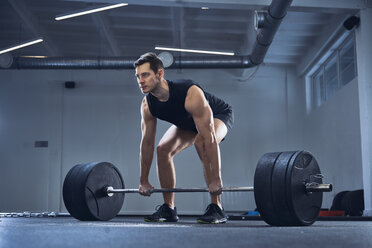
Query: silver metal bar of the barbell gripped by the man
[{"x": 308, "y": 187}]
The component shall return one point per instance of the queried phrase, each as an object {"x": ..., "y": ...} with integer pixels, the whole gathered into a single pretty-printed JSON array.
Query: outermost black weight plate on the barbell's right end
[{"x": 305, "y": 206}]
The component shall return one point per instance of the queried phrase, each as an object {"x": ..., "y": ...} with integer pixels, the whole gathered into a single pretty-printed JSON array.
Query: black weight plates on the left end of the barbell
[{"x": 83, "y": 191}]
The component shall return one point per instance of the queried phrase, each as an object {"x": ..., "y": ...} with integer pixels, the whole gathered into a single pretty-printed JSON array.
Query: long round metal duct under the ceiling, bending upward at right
[{"x": 276, "y": 12}]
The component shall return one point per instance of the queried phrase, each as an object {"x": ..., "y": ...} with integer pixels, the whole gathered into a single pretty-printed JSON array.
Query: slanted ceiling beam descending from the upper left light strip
[{"x": 101, "y": 23}]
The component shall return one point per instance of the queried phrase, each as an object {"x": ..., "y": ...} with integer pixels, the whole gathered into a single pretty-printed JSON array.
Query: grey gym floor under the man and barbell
[{"x": 133, "y": 232}]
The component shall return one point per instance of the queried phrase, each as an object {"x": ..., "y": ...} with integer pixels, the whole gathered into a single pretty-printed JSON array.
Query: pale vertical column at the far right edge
[{"x": 364, "y": 62}]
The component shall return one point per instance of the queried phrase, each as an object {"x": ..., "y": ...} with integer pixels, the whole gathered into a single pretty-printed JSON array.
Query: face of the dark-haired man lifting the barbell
[{"x": 146, "y": 78}]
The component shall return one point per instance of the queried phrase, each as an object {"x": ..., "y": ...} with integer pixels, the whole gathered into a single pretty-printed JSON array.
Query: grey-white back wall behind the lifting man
[{"x": 99, "y": 120}]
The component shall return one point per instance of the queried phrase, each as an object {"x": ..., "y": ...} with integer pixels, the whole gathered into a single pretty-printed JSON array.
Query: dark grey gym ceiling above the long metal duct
[{"x": 139, "y": 27}]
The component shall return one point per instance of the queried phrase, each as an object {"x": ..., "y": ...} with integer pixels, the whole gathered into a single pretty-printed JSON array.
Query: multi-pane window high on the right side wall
[{"x": 335, "y": 72}]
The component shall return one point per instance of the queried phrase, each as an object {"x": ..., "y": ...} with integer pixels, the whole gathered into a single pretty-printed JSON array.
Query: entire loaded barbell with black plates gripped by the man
[{"x": 288, "y": 189}]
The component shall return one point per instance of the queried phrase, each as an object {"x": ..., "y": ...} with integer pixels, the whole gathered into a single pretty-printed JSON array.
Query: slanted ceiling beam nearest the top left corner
[{"x": 30, "y": 22}]
